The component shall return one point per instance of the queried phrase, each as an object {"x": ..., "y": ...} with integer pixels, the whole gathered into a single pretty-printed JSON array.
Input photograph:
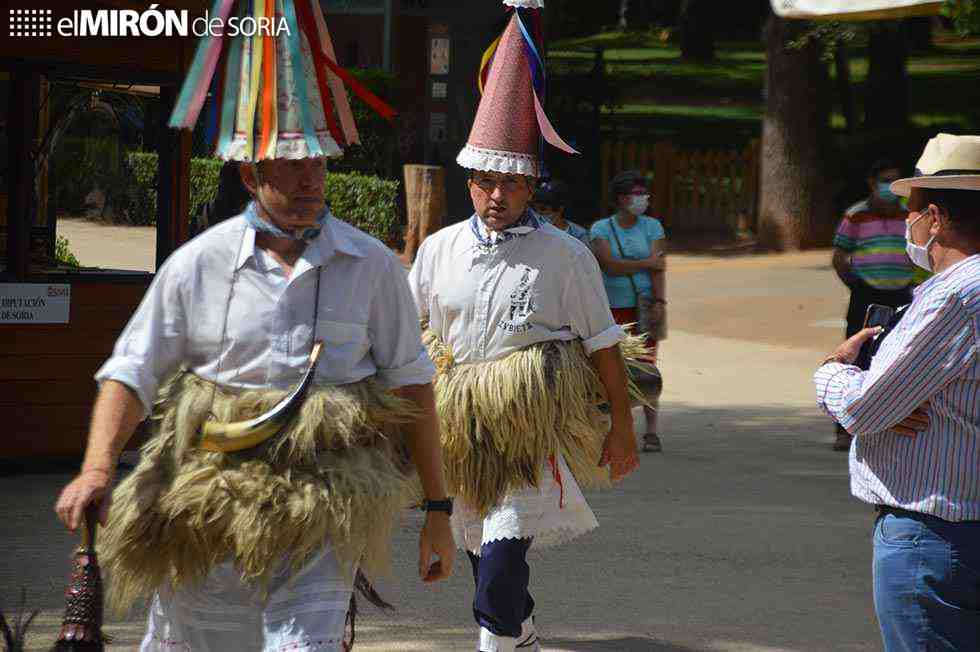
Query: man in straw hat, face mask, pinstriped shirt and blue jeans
[{"x": 915, "y": 415}]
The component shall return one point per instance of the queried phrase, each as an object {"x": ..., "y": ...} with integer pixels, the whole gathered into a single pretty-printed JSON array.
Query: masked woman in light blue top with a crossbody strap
[{"x": 630, "y": 249}]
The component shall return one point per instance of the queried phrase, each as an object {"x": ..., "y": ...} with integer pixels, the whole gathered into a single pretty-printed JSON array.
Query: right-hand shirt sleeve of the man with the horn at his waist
[{"x": 396, "y": 337}]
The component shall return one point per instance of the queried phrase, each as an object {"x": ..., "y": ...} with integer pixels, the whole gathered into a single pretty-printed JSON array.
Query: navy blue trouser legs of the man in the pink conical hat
[{"x": 501, "y": 602}]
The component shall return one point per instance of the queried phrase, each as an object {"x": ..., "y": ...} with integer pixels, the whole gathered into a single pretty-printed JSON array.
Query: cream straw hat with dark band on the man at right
[{"x": 948, "y": 163}]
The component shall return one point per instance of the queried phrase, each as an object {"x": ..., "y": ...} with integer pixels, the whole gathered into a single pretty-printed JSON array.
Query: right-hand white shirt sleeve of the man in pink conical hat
[{"x": 587, "y": 305}]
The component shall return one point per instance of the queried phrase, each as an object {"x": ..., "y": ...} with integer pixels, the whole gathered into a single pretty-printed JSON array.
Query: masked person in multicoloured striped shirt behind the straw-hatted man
[{"x": 869, "y": 255}]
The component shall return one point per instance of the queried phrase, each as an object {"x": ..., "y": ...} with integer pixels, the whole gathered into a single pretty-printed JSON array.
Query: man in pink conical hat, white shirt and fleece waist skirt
[{"x": 525, "y": 345}]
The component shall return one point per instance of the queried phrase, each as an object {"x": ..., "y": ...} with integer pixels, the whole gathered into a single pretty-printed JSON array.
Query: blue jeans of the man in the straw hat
[{"x": 927, "y": 582}]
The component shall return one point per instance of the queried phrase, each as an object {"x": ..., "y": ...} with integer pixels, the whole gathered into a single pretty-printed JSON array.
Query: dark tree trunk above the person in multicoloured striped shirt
[{"x": 886, "y": 99}]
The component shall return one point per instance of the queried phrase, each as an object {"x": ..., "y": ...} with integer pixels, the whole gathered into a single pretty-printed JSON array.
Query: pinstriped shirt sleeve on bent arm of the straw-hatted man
[{"x": 940, "y": 347}]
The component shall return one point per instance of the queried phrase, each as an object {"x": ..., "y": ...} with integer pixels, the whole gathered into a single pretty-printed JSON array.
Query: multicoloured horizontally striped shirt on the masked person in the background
[{"x": 877, "y": 247}]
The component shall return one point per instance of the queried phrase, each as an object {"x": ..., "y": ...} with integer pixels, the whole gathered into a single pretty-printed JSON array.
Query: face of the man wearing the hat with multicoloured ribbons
[{"x": 291, "y": 191}]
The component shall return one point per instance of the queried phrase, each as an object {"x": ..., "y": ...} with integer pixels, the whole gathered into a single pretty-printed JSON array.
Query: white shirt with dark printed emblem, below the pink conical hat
[{"x": 486, "y": 303}]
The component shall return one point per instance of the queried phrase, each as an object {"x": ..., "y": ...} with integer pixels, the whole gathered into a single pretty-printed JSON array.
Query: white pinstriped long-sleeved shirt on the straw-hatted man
[{"x": 933, "y": 354}]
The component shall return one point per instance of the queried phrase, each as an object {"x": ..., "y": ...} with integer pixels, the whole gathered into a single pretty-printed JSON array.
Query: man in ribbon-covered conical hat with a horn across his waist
[{"x": 254, "y": 511}]
